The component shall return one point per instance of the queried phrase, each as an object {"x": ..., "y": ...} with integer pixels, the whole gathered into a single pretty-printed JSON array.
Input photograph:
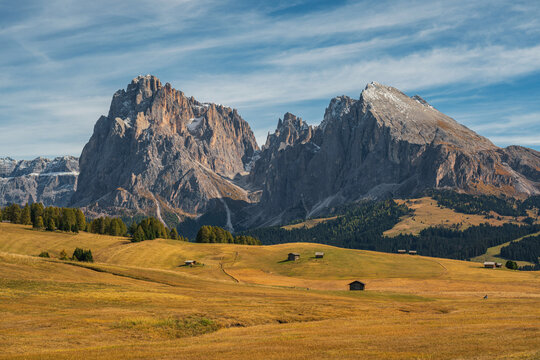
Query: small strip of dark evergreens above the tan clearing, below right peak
[{"x": 477, "y": 204}]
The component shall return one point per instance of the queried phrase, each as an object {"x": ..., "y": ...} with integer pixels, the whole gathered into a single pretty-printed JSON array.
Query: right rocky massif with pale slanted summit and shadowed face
[{"x": 384, "y": 144}]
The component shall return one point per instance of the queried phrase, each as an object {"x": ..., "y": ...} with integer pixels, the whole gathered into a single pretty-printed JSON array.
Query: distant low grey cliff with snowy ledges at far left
[{"x": 51, "y": 182}]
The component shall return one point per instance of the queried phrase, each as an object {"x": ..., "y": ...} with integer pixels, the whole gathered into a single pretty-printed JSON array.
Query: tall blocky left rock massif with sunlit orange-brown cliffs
[{"x": 161, "y": 153}]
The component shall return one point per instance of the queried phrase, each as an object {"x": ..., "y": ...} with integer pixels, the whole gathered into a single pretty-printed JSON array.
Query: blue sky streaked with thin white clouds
[{"x": 62, "y": 60}]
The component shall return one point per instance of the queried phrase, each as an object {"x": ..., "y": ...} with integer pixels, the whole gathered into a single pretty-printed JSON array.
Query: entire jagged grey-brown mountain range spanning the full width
[{"x": 159, "y": 152}]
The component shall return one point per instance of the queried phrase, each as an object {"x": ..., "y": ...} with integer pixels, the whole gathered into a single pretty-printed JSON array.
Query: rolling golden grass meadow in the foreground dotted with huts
[{"x": 245, "y": 302}]
